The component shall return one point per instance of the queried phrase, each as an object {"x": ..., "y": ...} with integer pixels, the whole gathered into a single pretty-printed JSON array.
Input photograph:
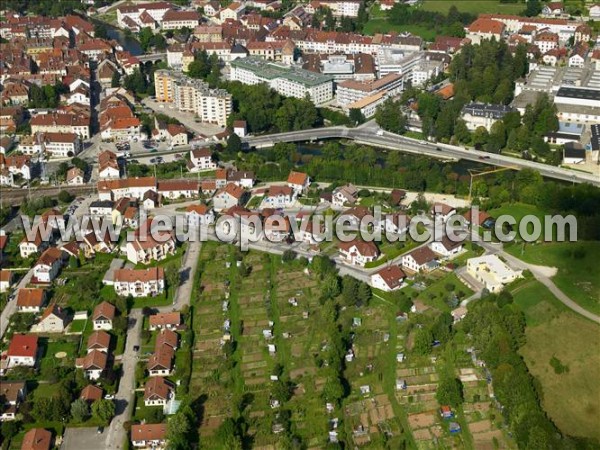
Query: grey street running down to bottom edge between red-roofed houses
[{"x": 124, "y": 399}]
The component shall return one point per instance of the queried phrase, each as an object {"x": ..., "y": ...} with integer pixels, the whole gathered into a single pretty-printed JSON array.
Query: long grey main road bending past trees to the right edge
[{"x": 369, "y": 135}]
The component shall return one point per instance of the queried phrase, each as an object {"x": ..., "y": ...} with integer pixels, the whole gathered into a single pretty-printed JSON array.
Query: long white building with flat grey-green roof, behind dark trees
[{"x": 288, "y": 81}]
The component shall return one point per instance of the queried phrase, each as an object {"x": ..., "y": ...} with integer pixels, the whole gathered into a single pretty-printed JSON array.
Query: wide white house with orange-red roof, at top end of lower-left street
[{"x": 139, "y": 282}]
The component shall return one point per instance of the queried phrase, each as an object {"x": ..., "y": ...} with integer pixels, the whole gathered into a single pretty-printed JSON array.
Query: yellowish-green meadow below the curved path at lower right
[{"x": 571, "y": 398}]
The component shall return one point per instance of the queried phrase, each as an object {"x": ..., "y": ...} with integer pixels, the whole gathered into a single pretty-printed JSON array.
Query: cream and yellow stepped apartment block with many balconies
[{"x": 211, "y": 105}]
